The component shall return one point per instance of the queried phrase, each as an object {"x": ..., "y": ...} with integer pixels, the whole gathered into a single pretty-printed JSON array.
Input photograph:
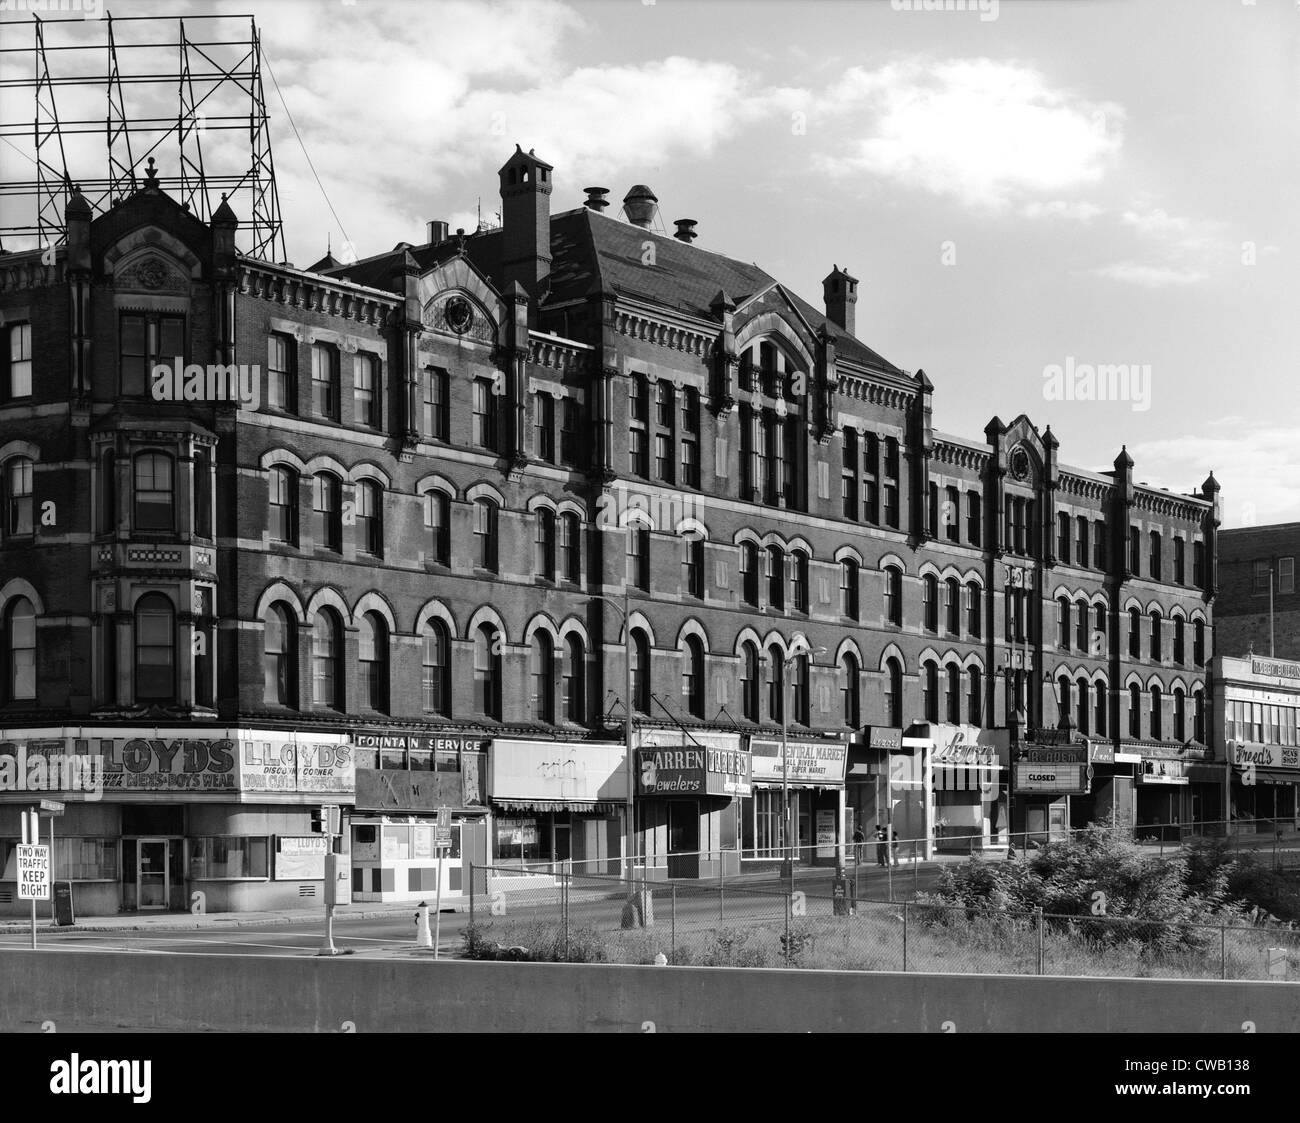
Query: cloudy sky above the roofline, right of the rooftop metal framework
[{"x": 1026, "y": 190}]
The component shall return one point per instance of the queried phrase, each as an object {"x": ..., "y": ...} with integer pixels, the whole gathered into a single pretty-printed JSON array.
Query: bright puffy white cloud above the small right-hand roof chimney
[{"x": 981, "y": 131}]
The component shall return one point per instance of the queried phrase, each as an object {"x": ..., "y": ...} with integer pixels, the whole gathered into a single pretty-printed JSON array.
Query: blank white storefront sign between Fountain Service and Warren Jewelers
[{"x": 557, "y": 771}]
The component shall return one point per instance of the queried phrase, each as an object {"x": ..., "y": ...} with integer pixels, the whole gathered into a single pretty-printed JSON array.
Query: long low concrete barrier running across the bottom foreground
[{"x": 122, "y": 991}]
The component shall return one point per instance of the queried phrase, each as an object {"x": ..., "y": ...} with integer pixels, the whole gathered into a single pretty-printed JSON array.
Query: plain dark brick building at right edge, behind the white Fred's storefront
[{"x": 1251, "y": 560}]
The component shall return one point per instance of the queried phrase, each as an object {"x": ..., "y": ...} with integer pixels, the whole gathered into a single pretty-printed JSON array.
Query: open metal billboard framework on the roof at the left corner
[{"x": 184, "y": 92}]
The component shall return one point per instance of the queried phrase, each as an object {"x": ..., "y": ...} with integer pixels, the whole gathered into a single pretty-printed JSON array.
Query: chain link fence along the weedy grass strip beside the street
[{"x": 590, "y": 918}]
